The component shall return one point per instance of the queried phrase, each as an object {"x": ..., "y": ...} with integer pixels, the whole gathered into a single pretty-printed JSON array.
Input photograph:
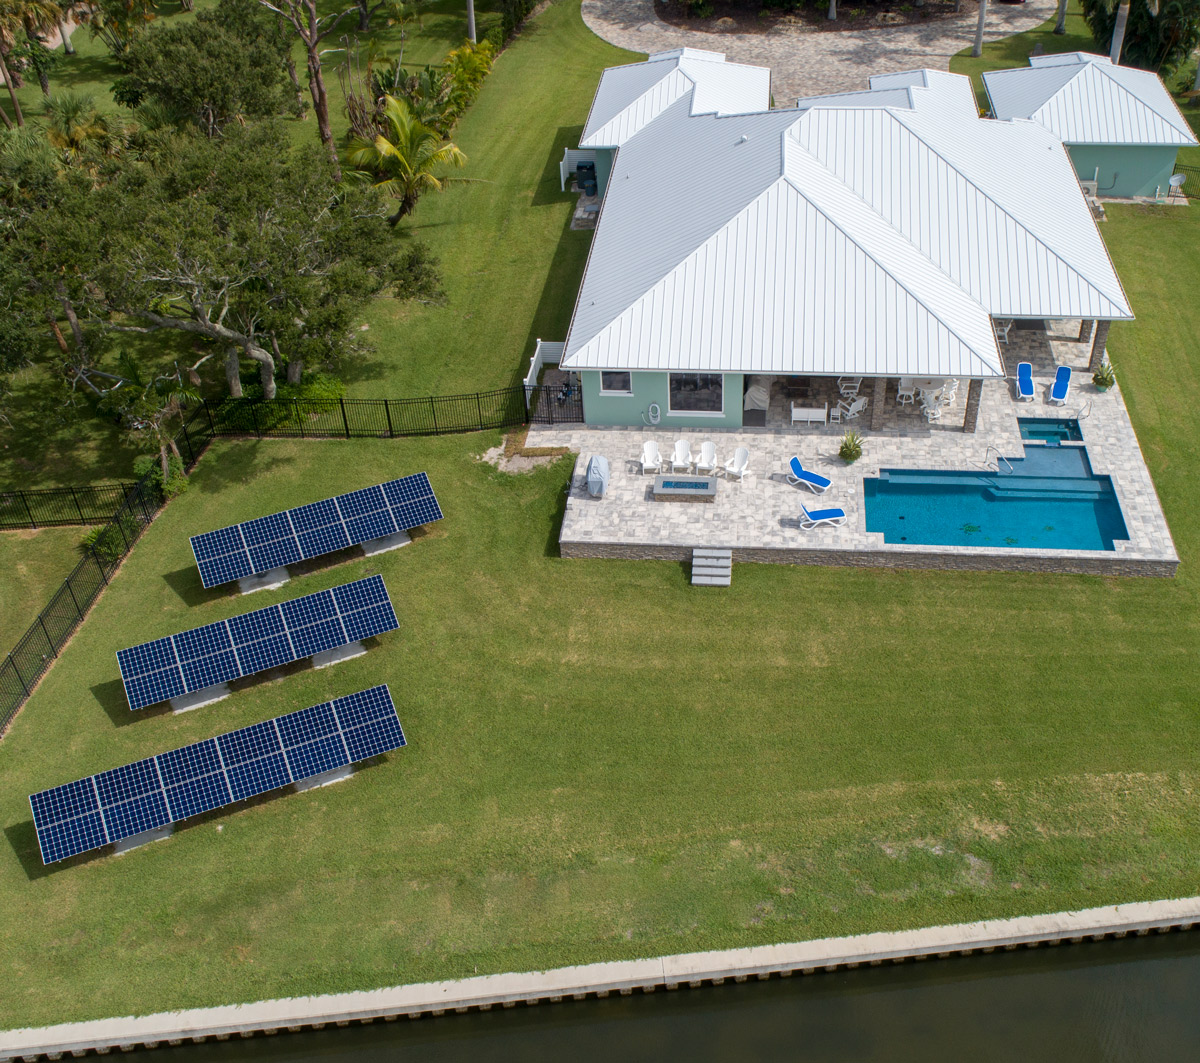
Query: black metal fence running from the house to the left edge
[{"x": 135, "y": 506}]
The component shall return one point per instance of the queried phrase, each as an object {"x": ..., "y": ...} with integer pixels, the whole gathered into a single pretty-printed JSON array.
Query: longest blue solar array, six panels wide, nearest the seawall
[{"x": 232, "y": 767}]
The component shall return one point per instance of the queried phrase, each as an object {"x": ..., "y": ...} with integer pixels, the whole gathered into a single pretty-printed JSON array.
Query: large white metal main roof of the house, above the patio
[{"x": 839, "y": 239}]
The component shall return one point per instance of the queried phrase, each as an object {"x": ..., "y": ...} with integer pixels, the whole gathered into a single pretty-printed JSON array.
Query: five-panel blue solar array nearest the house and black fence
[{"x": 310, "y": 531}]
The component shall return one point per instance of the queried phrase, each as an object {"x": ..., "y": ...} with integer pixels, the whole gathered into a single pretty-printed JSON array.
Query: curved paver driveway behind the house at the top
[{"x": 807, "y": 63}]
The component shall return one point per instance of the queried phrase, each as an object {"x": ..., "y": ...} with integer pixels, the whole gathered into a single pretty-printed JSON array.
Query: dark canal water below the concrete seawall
[{"x": 1099, "y": 1002}]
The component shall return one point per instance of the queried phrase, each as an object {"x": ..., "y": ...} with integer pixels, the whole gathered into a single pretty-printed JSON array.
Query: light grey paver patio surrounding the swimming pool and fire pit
[{"x": 760, "y": 518}]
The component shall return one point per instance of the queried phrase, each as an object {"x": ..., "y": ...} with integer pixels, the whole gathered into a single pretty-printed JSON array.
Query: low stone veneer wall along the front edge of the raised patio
[{"x": 1108, "y": 566}]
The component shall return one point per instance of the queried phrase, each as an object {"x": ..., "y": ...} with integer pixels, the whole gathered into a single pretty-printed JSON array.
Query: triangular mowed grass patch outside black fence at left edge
[{"x": 34, "y": 563}]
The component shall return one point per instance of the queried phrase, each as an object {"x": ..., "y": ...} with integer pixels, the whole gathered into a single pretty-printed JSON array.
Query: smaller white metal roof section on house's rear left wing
[{"x": 631, "y": 98}]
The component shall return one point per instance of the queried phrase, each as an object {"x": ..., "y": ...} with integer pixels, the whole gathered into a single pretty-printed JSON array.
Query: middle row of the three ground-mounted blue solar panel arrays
[{"x": 242, "y": 646}]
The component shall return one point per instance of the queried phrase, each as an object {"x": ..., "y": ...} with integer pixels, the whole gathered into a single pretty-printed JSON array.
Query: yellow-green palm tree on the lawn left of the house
[{"x": 404, "y": 157}]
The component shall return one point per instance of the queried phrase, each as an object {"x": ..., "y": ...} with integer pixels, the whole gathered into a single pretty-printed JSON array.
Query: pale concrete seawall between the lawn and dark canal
[{"x": 596, "y": 980}]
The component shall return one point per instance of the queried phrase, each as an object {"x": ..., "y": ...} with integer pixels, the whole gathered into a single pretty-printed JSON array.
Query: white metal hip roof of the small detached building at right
[{"x": 1088, "y": 100}]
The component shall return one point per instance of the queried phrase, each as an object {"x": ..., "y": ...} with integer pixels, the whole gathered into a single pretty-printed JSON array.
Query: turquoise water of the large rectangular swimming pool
[{"x": 1051, "y": 501}]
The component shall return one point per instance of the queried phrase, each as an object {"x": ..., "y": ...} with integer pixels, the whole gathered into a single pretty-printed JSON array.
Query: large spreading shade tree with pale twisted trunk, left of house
[{"x": 247, "y": 245}]
